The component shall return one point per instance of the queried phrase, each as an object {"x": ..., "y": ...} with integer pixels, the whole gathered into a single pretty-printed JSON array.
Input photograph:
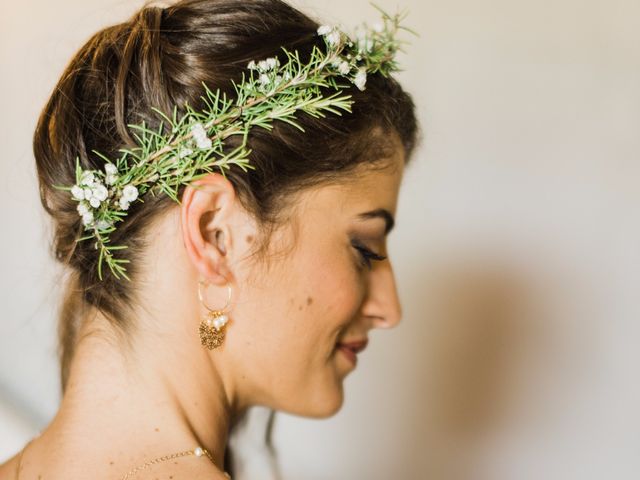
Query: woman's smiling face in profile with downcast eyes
[{"x": 321, "y": 285}]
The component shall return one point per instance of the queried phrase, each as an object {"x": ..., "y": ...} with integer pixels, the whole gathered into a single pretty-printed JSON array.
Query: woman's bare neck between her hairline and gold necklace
[{"x": 140, "y": 407}]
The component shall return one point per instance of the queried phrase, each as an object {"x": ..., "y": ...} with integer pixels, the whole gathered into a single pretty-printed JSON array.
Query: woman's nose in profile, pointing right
[{"x": 382, "y": 303}]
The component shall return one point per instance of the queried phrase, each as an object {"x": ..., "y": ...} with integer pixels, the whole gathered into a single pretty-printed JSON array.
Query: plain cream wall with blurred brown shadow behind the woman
[{"x": 517, "y": 250}]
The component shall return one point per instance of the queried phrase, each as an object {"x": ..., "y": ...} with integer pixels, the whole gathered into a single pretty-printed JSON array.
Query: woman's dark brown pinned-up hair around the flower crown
[{"x": 159, "y": 58}]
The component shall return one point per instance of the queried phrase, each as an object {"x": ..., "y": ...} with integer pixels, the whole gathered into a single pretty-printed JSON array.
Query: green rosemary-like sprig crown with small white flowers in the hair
[{"x": 194, "y": 146}]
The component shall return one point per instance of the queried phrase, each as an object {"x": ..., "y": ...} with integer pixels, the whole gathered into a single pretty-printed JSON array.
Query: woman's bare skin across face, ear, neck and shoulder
[{"x": 167, "y": 393}]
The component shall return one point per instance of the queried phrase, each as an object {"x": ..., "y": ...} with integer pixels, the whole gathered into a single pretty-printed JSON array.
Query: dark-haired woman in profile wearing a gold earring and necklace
[{"x": 258, "y": 288}]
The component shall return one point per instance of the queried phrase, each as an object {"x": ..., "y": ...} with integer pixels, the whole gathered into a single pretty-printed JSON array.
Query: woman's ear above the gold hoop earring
[{"x": 207, "y": 209}]
